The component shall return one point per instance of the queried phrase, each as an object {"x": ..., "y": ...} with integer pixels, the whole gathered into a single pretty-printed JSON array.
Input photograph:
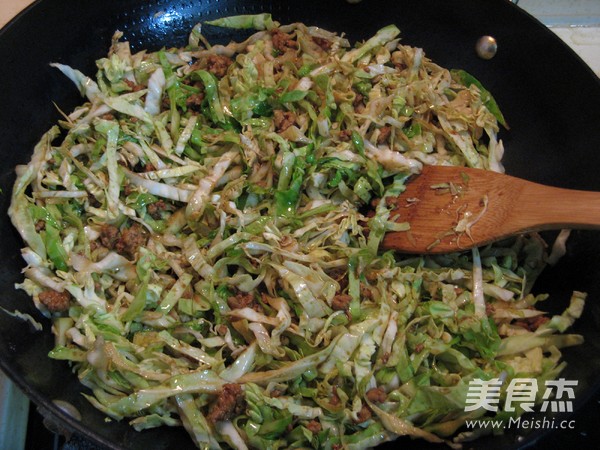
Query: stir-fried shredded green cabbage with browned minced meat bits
[{"x": 205, "y": 229}]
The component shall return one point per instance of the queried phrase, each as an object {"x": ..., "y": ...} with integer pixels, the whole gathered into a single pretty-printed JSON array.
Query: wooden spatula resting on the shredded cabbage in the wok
[{"x": 455, "y": 208}]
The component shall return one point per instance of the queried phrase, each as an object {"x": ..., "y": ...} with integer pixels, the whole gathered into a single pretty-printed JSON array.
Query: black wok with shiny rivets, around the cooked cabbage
[{"x": 549, "y": 97}]
